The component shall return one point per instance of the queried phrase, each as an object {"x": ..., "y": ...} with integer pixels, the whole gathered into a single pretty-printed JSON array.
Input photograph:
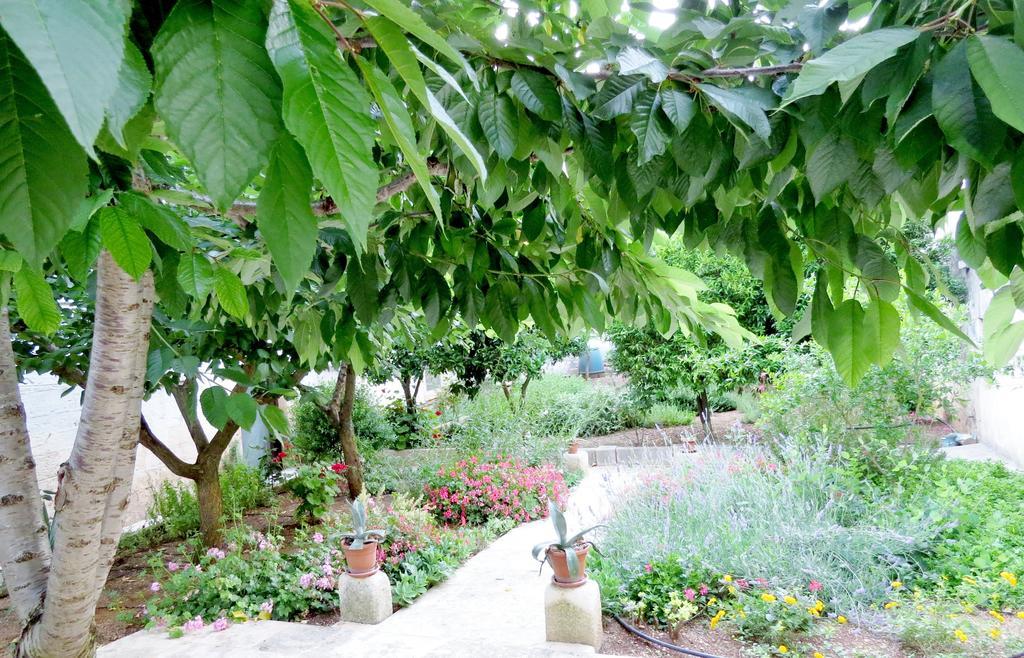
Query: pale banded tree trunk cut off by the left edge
[{"x": 25, "y": 547}]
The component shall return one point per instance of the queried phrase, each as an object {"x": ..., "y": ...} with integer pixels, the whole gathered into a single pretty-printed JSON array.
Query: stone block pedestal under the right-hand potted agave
[{"x": 573, "y": 616}]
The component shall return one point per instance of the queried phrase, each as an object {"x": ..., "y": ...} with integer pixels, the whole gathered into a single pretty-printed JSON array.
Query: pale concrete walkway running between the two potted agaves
[{"x": 493, "y": 606}]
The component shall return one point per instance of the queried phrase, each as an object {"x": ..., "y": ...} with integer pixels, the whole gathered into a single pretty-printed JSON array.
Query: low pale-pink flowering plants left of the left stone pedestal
[{"x": 252, "y": 579}]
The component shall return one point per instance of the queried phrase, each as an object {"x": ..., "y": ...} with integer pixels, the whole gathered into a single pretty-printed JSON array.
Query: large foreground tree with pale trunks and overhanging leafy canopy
[{"x": 411, "y": 159}]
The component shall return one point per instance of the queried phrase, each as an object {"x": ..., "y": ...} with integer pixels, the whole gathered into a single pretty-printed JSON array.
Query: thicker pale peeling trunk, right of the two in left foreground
[{"x": 97, "y": 480}]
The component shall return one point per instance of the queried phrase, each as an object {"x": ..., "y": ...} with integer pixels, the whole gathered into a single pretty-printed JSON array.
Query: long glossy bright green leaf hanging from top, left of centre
[{"x": 328, "y": 111}]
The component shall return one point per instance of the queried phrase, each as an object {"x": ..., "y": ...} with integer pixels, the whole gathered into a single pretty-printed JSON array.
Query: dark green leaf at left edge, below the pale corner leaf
[{"x": 44, "y": 178}]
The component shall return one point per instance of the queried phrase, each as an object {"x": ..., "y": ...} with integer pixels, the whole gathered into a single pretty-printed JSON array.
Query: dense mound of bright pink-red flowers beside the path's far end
[{"x": 472, "y": 492}]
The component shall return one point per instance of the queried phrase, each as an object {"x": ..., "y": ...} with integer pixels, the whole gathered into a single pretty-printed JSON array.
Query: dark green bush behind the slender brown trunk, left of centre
[{"x": 317, "y": 440}]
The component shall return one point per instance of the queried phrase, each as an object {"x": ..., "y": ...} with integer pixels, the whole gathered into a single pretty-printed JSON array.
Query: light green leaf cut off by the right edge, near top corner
[{"x": 997, "y": 65}]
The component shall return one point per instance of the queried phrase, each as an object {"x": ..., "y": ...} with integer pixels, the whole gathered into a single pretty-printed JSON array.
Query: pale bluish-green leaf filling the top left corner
[{"x": 76, "y": 49}]
